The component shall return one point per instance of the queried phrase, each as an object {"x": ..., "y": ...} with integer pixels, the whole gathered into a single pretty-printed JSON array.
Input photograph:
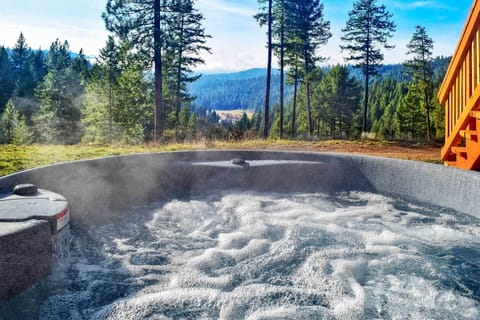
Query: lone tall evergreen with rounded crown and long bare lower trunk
[{"x": 367, "y": 30}]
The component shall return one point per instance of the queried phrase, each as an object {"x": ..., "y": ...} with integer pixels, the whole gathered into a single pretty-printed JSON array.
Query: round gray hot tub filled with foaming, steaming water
[{"x": 261, "y": 235}]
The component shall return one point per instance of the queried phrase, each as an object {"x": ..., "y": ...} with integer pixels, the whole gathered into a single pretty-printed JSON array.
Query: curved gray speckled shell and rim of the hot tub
[{"x": 96, "y": 189}]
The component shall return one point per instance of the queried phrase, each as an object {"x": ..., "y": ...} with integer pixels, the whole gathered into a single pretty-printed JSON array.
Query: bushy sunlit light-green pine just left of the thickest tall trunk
[{"x": 118, "y": 101}]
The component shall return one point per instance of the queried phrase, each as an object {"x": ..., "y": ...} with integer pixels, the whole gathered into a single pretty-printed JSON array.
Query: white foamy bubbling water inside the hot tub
[{"x": 269, "y": 256}]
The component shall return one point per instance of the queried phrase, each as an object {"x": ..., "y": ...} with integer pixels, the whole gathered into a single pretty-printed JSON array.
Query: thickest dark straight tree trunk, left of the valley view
[{"x": 159, "y": 122}]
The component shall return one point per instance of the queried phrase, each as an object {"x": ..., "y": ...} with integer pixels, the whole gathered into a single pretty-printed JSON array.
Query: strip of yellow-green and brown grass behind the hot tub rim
[{"x": 18, "y": 158}]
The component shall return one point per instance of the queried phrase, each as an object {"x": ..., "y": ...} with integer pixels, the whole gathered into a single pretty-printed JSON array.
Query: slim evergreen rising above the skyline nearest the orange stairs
[{"x": 420, "y": 69}]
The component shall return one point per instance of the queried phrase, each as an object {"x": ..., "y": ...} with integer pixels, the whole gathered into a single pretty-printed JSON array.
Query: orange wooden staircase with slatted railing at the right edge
[{"x": 460, "y": 94}]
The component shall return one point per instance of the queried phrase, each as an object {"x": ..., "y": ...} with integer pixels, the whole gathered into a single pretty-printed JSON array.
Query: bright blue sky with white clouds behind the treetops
[{"x": 237, "y": 43}]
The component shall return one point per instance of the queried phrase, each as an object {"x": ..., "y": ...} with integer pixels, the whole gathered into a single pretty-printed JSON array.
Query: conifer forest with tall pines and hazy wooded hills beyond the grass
[{"x": 143, "y": 87}]
